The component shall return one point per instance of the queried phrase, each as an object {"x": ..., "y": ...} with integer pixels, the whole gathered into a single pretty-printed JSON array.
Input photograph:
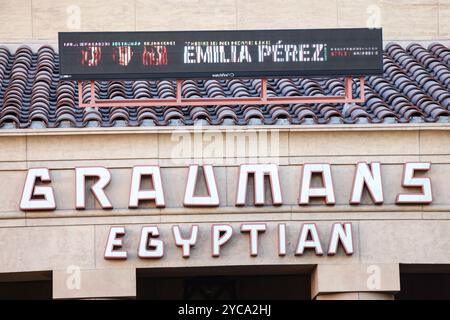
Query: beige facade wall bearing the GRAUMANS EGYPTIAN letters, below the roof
[{"x": 385, "y": 236}]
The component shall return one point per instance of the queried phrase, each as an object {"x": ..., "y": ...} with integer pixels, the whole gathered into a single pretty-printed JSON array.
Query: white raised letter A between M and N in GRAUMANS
[{"x": 326, "y": 191}]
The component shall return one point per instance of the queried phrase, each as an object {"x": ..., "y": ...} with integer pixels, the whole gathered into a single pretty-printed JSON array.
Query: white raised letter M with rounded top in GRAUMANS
[{"x": 259, "y": 171}]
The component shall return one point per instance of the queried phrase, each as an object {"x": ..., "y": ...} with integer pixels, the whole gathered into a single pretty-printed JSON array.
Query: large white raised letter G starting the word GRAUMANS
[{"x": 30, "y": 189}]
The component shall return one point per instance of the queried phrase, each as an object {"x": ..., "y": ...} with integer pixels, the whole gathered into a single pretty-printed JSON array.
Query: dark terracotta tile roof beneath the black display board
[{"x": 415, "y": 87}]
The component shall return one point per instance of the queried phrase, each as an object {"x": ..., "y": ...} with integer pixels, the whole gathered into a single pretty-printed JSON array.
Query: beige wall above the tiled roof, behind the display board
[{"x": 36, "y": 21}]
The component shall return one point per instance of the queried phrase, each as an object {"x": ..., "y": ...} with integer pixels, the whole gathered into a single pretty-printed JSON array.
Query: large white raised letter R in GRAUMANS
[{"x": 97, "y": 189}]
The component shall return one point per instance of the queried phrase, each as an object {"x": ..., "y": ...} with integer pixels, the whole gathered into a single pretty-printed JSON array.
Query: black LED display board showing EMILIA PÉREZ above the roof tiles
[{"x": 220, "y": 54}]
